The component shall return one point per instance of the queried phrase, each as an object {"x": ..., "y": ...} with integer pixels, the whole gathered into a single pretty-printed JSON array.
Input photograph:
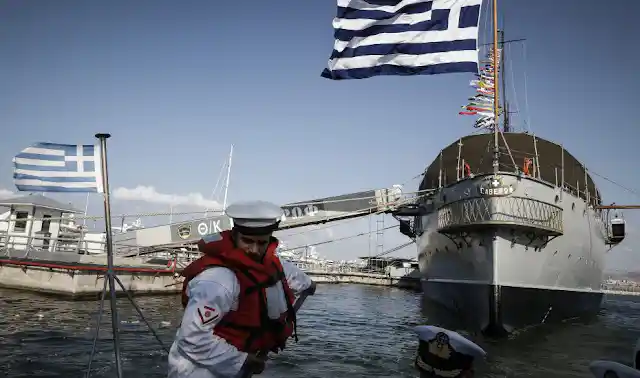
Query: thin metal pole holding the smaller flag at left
[{"x": 109, "y": 240}]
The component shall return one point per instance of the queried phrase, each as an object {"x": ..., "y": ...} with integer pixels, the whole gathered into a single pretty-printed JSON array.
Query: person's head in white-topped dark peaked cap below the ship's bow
[{"x": 444, "y": 353}]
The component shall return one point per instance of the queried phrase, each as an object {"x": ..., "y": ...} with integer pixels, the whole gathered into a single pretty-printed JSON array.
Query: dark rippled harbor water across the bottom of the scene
[{"x": 345, "y": 330}]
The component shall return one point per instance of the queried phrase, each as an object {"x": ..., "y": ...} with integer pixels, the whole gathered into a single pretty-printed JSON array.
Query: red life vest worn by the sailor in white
[{"x": 248, "y": 328}]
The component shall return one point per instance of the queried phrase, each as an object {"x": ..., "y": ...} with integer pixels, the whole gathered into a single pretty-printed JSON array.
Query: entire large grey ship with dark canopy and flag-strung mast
[{"x": 513, "y": 232}]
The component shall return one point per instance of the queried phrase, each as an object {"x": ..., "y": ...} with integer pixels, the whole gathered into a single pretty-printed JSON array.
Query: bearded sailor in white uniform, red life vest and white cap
[{"x": 238, "y": 298}]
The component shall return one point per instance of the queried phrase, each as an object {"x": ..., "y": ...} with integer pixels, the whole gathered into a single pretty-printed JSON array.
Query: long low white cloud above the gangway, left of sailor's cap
[{"x": 151, "y": 195}]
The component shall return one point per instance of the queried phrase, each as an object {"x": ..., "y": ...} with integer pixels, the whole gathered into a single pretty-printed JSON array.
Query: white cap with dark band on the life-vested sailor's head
[{"x": 255, "y": 216}]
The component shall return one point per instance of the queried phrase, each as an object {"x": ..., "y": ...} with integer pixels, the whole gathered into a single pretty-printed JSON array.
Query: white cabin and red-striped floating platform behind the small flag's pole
[{"x": 44, "y": 250}]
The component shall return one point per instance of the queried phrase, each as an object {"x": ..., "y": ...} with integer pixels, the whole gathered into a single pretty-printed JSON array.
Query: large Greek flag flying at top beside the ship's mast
[{"x": 408, "y": 37}]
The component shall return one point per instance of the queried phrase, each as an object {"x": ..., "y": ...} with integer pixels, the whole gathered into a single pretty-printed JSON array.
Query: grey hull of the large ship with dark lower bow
[{"x": 500, "y": 279}]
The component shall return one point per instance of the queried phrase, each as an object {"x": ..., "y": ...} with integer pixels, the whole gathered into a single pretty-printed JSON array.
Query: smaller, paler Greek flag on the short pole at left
[{"x": 51, "y": 167}]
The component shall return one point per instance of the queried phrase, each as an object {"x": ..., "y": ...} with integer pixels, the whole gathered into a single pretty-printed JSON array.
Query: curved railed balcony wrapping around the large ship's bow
[{"x": 512, "y": 211}]
